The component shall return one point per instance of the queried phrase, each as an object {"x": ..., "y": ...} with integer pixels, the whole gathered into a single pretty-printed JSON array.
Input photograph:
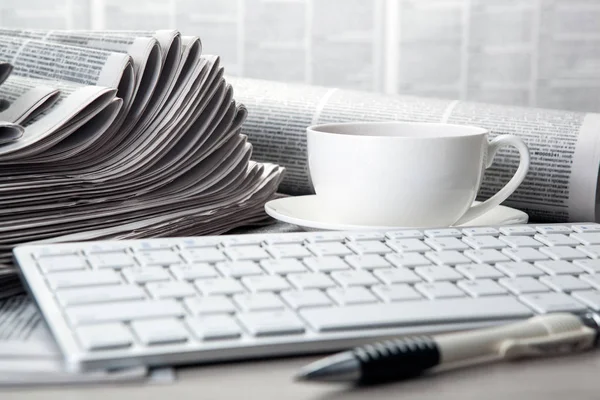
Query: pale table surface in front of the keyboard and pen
[{"x": 571, "y": 377}]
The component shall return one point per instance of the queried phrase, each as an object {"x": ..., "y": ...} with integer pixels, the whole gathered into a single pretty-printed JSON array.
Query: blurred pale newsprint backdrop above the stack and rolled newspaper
[{"x": 521, "y": 52}]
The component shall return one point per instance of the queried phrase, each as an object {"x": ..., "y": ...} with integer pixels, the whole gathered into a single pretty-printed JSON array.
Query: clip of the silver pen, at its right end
[{"x": 552, "y": 345}]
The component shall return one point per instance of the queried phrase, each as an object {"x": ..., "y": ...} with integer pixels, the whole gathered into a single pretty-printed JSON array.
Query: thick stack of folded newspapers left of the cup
[{"x": 120, "y": 135}]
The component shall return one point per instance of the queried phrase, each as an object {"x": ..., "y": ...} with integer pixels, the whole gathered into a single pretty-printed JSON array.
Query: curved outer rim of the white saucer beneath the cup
[{"x": 321, "y": 225}]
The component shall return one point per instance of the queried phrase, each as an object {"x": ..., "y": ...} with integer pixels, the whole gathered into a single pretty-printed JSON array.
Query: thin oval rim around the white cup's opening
[{"x": 461, "y": 131}]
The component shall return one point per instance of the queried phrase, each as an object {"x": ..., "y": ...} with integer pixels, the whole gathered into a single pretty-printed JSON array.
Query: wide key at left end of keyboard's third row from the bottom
[{"x": 100, "y": 294}]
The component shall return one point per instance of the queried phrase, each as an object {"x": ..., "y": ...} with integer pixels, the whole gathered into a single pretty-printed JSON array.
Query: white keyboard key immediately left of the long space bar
[{"x": 266, "y": 323}]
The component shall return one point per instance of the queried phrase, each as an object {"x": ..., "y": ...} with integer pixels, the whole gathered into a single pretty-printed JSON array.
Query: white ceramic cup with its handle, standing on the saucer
[{"x": 405, "y": 174}]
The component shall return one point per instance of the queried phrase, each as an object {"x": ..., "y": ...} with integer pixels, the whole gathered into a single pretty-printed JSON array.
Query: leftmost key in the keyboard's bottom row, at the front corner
[{"x": 104, "y": 336}]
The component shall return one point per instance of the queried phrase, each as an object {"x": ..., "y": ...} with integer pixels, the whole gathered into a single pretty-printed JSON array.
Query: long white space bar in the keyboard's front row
[{"x": 415, "y": 312}]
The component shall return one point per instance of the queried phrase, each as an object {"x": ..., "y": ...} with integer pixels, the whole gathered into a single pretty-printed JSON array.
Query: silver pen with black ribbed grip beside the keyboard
[{"x": 403, "y": 358}]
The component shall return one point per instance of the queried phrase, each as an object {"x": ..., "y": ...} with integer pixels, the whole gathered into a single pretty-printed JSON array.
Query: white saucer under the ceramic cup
[{"x": 306, "y": 213}]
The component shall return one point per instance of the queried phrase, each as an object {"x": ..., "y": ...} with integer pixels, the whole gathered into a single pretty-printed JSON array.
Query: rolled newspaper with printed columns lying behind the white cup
[{"x": 564, "y": 145}]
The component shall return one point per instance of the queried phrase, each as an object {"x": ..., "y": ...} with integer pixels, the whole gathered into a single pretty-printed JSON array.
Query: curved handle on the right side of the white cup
[{"x": 497, "y": 143}]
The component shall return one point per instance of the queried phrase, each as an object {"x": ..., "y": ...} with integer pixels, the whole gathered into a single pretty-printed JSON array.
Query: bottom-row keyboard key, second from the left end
[{"x": 159, "y": 331}]
